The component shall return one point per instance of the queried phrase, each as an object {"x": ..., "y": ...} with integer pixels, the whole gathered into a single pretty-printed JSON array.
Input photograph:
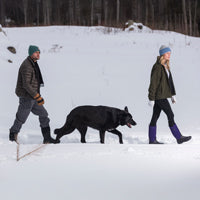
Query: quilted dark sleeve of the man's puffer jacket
[{"x": 27, "y": 73}]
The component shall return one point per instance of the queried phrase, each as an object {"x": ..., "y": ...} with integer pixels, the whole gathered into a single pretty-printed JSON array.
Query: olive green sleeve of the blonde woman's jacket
[{"x": 154, "y": 82}]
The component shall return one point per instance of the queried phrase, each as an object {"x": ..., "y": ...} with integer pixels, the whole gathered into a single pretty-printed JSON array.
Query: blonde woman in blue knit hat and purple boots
[{"x": 162, "y": 87}]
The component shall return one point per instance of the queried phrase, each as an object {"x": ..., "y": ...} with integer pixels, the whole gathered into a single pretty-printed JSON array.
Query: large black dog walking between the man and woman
[{"x": 101, "y": 118}]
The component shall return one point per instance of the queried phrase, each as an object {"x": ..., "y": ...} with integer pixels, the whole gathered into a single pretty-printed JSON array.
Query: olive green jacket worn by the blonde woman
[{"x": 161, "y": 86}]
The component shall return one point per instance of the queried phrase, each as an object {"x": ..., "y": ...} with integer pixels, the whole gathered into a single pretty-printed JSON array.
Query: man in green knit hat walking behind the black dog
[{"x": 28, "y": 90}]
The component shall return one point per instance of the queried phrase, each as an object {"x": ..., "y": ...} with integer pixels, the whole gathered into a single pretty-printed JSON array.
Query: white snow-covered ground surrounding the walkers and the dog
[{"x": 93, "y": 66}]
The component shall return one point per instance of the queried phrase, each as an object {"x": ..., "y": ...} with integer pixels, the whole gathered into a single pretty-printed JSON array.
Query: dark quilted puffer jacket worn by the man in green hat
[{"x": 29, "y": 79}]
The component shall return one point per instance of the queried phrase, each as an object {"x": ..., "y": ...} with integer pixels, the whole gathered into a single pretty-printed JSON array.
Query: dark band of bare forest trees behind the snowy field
[{"x": 182, "y": 16}]
